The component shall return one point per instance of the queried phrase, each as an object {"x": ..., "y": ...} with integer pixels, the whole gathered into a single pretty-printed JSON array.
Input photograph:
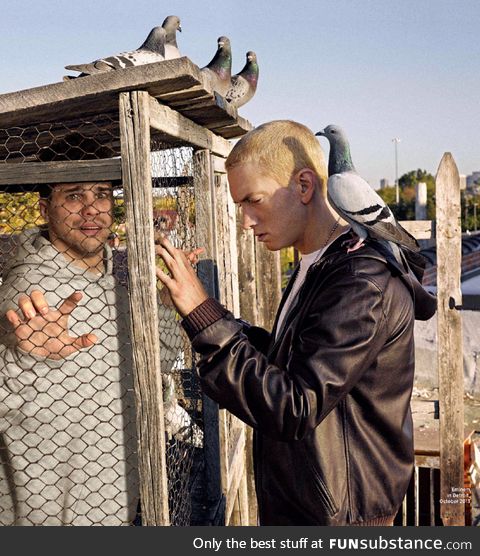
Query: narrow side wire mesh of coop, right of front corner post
[{"x": 174, "y": 216}]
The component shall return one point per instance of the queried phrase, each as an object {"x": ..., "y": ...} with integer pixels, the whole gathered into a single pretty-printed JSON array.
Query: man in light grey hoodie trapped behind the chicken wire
[{"x": 67, "y": 416}]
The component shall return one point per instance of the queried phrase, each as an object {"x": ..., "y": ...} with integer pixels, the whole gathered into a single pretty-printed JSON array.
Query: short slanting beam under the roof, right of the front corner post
[{"x": 174, "y": 125}]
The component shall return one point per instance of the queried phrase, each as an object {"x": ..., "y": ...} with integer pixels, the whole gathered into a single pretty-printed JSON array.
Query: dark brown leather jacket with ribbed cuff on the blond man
[{"x": 330, "y": 398}]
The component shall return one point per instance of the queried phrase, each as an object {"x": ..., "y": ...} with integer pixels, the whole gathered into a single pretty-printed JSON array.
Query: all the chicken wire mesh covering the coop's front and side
[{"x": 68, "y": 443}]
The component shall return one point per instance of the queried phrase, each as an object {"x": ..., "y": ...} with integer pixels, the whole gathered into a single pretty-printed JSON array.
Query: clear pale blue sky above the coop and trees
[{"x": 379, "y": 68}]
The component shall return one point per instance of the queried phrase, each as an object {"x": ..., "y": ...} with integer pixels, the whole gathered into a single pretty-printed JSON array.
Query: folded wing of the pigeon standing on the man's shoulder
[{"x": 353, "y": 197}]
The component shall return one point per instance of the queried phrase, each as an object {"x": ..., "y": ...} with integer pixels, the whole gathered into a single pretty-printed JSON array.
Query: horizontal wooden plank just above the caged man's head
[{"x": 71, "y": 171}]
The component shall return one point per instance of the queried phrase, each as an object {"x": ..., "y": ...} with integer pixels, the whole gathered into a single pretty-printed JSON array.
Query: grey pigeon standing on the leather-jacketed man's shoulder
[{"x": 356, "y": 201}]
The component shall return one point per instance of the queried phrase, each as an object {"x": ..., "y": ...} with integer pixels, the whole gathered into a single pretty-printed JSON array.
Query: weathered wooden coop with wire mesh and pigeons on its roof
[{"x": 161, "y": 136}]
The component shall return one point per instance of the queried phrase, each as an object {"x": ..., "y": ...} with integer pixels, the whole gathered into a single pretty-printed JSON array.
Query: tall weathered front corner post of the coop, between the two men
[{"x": 135, "y": 142}]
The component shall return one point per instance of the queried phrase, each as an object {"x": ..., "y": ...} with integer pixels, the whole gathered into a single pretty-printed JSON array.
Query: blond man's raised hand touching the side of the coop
[{"x": 185, "y": 288}]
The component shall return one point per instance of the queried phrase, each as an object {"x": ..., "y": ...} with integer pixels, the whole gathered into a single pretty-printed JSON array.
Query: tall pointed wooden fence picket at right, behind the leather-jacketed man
[{"x": 450, "y": 344}]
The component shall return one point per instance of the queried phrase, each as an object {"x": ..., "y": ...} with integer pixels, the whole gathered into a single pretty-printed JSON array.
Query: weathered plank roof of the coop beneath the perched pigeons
[{"x": 99, "y": 93}]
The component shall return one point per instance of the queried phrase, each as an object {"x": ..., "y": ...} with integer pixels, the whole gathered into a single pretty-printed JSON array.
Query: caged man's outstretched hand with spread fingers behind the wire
[{"x": 43, "y": 331}]
